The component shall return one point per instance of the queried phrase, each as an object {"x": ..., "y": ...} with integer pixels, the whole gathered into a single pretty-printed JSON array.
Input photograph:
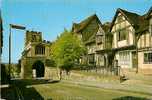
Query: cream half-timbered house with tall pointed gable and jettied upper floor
[{"x": 123, "y": 28}]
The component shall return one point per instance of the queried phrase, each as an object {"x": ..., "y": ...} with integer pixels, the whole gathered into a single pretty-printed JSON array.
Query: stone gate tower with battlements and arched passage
[{"x": 35, "y": 55}]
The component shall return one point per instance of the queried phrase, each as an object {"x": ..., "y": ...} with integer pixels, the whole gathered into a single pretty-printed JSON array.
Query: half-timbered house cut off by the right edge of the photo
[{"x": 144, "y": 43}]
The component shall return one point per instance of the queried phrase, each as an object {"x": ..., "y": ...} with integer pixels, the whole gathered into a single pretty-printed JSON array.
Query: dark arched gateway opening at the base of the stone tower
[{"x": 39, "y": 68}]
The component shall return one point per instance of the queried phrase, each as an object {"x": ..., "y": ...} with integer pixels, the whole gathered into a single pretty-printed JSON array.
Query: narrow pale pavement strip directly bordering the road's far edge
[{"x": 143, "y": 89}]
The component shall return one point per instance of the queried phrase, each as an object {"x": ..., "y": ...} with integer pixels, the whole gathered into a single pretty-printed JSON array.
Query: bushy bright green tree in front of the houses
[{"x": 66, "y": 50}]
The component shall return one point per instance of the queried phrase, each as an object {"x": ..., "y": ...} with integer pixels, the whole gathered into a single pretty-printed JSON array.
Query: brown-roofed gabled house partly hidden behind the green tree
[{"x": 86, "y": 31}]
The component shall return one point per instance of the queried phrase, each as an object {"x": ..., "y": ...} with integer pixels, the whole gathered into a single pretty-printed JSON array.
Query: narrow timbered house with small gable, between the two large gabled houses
[{"x": 103, "y": 46}]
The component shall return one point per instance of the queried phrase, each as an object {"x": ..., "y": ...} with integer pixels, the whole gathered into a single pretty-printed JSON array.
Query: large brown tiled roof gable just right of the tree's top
[{"x": 87, "y": 28}]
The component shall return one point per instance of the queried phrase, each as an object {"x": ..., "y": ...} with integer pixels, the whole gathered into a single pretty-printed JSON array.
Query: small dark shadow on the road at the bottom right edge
[{"x": 130, "y": 98}]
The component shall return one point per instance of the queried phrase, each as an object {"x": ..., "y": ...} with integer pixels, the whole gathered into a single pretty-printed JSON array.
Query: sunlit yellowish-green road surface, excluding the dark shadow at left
[{"x": 67, "y": 91}]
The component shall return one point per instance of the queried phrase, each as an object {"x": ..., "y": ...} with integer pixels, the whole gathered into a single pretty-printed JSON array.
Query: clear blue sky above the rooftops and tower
[{"x": 51, "y": 17}]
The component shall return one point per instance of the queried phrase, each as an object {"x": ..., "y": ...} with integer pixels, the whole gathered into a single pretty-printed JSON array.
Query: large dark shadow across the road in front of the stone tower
[{"x": 26, "y": 91}]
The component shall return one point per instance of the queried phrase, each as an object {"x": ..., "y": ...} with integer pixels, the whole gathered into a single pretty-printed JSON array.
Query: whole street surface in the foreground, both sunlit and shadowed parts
[{"x": 64, "y": 90}]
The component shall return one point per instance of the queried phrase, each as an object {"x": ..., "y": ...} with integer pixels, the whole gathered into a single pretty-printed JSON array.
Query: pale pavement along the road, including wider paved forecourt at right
[{"x": 137, "y": 83}]
